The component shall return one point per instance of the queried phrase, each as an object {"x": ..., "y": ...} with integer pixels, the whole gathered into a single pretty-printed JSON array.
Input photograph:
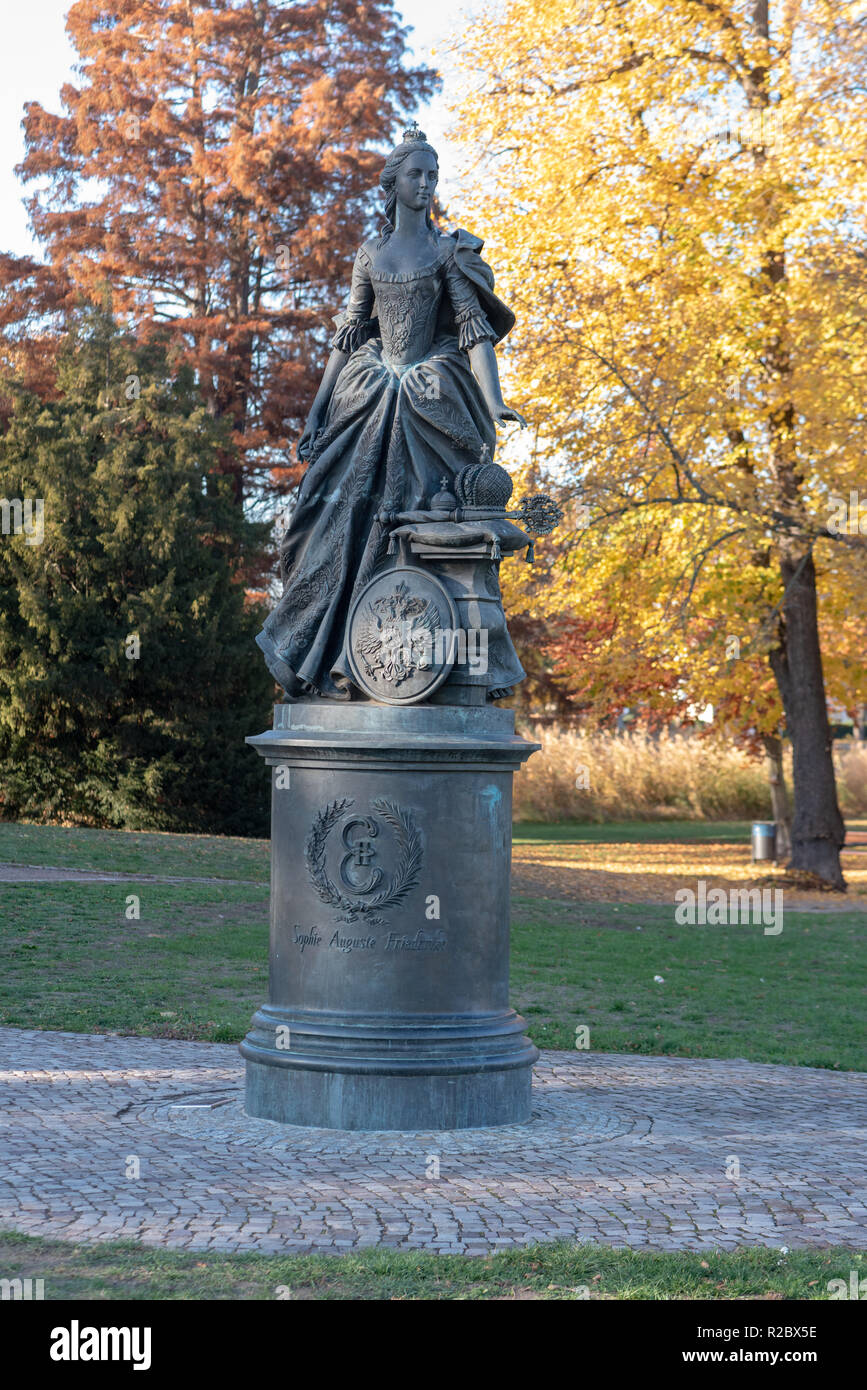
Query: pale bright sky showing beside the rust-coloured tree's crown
[{"x": 37, "y": 59}]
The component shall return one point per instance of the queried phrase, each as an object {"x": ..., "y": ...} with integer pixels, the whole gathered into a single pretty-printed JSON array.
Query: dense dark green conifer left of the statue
[{"x": 129, "y": 675}]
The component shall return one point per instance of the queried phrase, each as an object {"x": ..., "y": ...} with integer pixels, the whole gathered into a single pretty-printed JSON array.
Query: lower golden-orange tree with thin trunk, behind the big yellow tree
[{"x": 629, "y": 618}]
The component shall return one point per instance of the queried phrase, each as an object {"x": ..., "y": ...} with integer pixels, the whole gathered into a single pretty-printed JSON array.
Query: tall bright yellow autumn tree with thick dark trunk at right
[{"x": 676, "y": 195}]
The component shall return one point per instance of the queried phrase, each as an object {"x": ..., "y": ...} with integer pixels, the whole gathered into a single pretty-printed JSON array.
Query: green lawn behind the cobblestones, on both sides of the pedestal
[{"x": 195, "y": 964}]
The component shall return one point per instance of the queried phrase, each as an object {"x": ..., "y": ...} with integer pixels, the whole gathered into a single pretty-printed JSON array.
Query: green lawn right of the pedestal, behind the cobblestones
[{"x": 729, "y": 992}]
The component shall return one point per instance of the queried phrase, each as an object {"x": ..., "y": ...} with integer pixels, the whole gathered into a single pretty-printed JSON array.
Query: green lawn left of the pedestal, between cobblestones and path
[{"x": 195, "y": 965}]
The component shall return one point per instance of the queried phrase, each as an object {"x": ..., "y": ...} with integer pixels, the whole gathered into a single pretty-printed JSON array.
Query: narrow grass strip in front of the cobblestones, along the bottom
[{"x": 124, "y": 1270}]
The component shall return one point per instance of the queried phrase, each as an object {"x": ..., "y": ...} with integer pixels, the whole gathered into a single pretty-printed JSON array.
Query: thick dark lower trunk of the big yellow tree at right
[{"x": 818, "y": 828}]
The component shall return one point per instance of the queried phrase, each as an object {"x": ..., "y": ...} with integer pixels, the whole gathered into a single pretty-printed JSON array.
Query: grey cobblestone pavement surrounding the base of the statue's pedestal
[{"x": 634, "y": 1152}]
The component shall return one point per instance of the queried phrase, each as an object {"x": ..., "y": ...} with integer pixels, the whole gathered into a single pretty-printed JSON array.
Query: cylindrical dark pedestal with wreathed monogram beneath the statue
[{"x": 391, "y": 846}]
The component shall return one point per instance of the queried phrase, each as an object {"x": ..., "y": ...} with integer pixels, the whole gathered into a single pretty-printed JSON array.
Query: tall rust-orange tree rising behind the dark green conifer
[{"x": 213, "y": 167}]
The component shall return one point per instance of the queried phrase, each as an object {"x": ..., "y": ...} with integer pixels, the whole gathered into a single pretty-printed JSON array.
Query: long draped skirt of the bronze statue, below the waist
[{"x": 393, "y": 437}]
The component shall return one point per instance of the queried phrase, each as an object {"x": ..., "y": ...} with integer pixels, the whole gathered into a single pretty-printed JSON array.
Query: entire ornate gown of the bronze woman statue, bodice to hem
[{"x": 406, "y": 412}]
